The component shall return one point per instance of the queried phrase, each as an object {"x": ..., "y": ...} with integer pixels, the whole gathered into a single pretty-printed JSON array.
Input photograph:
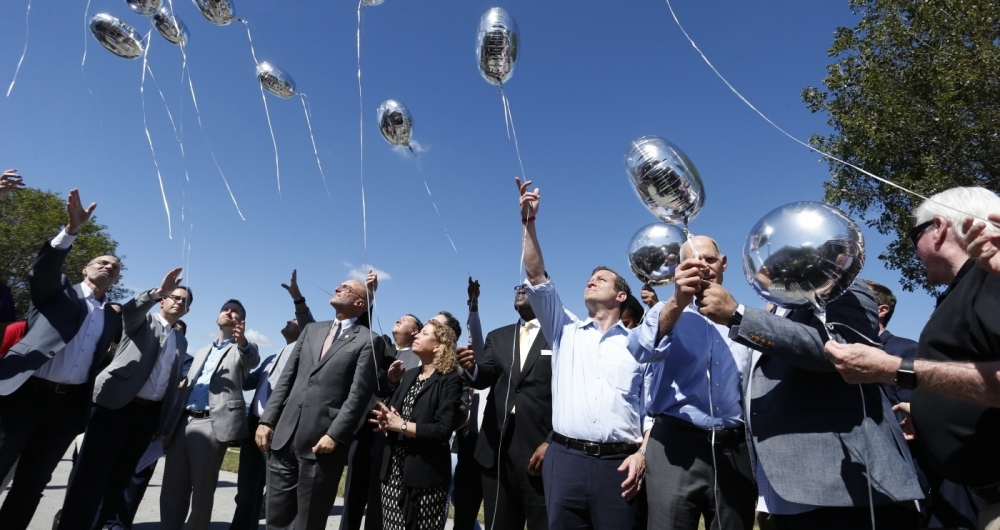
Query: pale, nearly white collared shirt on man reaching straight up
[{"x": 599, "y": 391}]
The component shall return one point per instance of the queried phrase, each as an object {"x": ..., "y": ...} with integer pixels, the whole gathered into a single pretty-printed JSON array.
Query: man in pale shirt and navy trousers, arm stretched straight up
[{"x": 594, "y": 468}]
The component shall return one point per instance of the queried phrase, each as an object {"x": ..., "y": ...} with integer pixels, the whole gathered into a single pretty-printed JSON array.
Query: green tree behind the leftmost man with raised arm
[{"x": 28, "y": 218}]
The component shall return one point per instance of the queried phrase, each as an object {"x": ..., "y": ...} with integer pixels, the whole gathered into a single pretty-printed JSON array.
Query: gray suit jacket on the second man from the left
[{"x": 137, "y": 355}]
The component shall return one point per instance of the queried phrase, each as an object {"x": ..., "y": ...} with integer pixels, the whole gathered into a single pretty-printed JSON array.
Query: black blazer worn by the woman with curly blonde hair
[{"x": 437, "y": 412}]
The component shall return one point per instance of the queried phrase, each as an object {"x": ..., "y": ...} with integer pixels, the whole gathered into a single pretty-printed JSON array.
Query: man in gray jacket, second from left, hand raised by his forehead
[{"x": 133, "y": 397}]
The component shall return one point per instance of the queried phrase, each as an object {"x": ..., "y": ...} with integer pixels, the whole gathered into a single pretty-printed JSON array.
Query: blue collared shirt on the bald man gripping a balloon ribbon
[{"x": 695, "y": 357}]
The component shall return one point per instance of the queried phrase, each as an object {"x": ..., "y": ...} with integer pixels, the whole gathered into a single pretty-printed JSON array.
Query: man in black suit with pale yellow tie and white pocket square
[{"x": 516, "y": 366}]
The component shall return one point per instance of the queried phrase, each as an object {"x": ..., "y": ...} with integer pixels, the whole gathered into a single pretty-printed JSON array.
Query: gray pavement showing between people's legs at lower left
[{"x": 149, "y": 511}]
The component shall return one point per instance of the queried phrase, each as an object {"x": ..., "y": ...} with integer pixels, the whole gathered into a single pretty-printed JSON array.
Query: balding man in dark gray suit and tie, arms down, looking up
[{"x": 314, "y": 412}]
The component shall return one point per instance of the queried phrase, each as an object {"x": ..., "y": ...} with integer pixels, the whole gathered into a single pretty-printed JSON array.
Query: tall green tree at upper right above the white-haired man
[{"x": 913, "y": 95}]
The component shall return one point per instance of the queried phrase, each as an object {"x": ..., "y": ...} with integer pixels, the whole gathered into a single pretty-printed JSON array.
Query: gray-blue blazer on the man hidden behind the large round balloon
[{"x": 805, "y": 424}]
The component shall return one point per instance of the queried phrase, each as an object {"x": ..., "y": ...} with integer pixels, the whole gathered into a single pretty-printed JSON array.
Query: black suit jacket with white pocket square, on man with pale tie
[{"x": 529, "y": 389}]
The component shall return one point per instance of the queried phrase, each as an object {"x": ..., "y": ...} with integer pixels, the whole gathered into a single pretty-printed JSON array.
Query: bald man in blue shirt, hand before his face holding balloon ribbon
[{"x": 697, "y": 460}]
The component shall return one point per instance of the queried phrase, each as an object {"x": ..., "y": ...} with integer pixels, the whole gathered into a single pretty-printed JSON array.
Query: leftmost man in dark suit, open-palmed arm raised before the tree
[{"x": 46, "y": 378}]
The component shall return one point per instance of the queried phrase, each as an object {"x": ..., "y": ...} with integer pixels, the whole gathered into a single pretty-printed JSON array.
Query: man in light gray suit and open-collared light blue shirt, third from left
[{"x": 210, "y": 412}]
